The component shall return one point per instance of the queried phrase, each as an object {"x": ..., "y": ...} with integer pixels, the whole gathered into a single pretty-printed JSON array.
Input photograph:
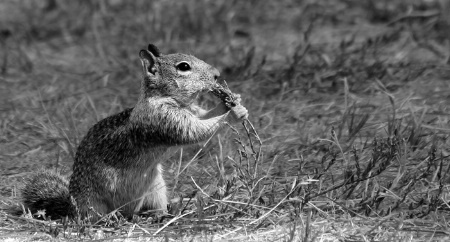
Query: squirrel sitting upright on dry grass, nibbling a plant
[{"x": 118, "y": 164}]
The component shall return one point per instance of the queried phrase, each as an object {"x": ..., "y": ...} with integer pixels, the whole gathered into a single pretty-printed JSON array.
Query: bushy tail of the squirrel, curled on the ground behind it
[{"x": 49, "y": 191}]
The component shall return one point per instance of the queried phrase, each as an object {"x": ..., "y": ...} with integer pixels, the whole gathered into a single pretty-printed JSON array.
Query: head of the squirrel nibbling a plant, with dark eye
[{"x": 179, "y": 76}]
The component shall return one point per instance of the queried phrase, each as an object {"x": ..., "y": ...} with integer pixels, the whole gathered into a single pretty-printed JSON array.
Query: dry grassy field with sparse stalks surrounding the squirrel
[{"x": 349, "y": 100}]
